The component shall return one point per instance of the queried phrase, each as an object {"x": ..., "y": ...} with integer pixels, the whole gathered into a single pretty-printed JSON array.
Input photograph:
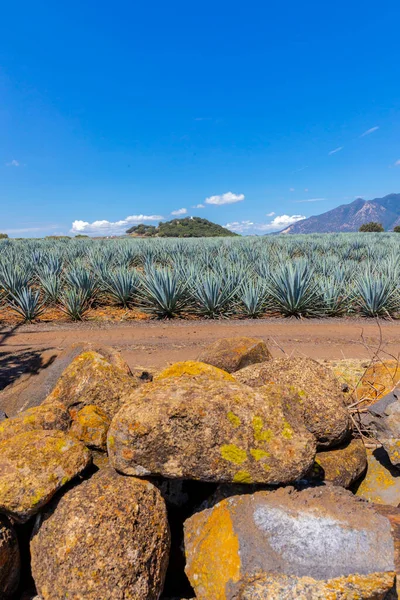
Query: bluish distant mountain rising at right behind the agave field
[{"x": 350, "y": 217}]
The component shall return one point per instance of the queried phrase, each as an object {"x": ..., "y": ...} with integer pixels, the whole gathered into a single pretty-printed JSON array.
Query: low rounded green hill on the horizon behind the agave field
[{"x": 187, "y": 227}]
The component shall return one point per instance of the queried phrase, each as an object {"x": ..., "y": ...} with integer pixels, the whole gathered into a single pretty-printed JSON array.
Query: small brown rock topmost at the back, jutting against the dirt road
[{"x": 232, "y": 354}]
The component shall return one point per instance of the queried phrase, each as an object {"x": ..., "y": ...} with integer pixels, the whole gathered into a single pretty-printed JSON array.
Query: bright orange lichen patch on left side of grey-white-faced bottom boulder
[{"x": 217, "y": 543}]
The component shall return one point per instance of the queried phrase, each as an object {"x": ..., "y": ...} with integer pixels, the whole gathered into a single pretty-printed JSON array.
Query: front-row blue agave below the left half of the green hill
[{"x": 162, "y": 292}]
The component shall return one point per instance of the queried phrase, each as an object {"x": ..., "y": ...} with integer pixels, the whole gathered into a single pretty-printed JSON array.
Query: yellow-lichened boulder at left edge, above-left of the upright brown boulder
[{"x": 33, "y": 466}]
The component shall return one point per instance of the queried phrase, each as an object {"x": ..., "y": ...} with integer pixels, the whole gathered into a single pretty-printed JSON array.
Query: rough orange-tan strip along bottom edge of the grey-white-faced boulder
[{"x": 376, "y": 586}]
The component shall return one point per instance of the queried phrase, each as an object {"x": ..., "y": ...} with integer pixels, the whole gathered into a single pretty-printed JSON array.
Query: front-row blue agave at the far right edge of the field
[{"x": 376, "y": 295}]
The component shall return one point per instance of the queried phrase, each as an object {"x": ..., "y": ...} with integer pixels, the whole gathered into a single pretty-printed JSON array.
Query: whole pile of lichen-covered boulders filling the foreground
[{"x": 221, "y": 479}]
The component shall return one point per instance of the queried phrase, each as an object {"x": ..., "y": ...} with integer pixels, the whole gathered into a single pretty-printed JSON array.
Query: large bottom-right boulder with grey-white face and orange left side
[{"x": 322, "y": 533}]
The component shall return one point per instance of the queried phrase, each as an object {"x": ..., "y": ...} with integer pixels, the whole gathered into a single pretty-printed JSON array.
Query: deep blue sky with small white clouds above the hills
[{"x": 256, "y": 113}]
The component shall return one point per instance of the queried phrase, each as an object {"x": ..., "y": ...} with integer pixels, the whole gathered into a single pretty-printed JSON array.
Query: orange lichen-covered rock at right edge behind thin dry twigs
[{"x": 378, "y": 380}]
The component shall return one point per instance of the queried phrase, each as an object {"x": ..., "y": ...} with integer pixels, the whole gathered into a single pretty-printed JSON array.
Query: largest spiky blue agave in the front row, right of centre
[{"x": 293, "y": 291}]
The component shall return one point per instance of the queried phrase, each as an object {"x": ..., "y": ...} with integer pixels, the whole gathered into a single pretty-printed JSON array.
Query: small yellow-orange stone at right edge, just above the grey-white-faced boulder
[{"x": 381, "y": 483}]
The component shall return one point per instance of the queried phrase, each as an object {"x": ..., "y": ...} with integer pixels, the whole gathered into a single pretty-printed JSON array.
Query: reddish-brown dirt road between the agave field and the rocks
[{"x": 153, "y": 344}]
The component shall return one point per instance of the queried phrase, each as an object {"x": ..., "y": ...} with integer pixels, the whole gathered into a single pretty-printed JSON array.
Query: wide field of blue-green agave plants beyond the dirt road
[{"x": 302, "y": 276}]
